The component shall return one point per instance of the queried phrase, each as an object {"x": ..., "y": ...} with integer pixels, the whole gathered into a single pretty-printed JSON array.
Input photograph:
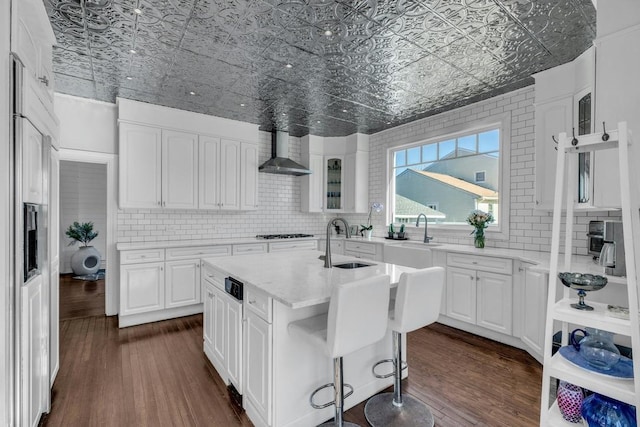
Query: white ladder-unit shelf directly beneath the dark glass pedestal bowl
[{"x": 596, "y": 319}]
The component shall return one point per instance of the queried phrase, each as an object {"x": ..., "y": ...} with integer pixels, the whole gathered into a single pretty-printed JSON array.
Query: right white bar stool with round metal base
[{"x": 417, "y": 304}]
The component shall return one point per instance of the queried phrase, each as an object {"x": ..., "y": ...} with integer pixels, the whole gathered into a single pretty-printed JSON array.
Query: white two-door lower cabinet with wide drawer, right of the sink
[{"x": 484, "y": 298}]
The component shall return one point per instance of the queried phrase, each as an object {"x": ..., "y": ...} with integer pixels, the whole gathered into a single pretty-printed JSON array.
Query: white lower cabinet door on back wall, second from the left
[{"x": 182, "y": 281}]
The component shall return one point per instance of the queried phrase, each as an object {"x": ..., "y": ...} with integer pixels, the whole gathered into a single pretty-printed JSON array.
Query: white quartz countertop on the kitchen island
[{"x": 299, "y": 279}]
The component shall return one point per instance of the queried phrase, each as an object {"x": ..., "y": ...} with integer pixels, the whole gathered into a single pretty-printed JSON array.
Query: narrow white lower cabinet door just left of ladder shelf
[{"x": 534, "y": 310}]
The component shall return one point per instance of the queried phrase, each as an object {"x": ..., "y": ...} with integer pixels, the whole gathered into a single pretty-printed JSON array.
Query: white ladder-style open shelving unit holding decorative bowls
[{"x": 560, "y": 311}]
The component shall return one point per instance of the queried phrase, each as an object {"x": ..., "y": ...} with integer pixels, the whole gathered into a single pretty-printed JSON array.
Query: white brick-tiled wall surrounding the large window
[{"x": 530, "y": 229}]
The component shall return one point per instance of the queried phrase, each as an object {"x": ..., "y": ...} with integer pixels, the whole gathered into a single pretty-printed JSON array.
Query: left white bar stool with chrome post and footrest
[{"x": 357, "y": 317}]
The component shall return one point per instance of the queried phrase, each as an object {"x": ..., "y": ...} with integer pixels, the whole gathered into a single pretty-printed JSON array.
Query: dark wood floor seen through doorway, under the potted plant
[{"x": 80, "y": 298}]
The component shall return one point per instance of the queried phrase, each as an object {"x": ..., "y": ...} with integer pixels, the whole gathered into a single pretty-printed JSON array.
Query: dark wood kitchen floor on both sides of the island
[{"x": 157, "y": 375}]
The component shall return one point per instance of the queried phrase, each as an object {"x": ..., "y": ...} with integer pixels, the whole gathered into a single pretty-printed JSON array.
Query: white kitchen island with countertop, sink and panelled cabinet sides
[{"x": 275, "y": 373}]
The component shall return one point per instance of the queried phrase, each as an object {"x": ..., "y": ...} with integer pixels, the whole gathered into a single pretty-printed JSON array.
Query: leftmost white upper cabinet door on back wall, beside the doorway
[{"x": 140, "y": 169}]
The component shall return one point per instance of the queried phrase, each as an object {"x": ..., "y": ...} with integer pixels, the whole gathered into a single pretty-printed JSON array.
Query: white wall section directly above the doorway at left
[{"x": 86, "y": 124}]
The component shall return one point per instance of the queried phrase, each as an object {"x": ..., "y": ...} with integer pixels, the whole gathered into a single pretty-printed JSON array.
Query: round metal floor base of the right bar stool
[{"x": 381, "y": 411}]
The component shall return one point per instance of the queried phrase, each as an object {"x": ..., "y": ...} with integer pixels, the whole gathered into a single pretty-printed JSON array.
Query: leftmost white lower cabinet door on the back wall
[{"x": 141, "y": 288}]
